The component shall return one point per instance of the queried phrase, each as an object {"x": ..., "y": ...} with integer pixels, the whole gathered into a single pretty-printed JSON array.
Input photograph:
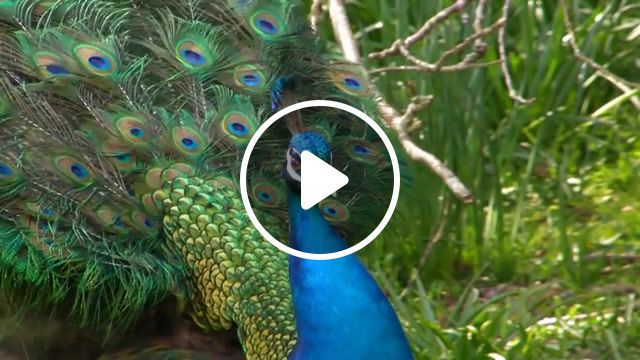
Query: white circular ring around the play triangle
[{"x": 245, "y": 164}]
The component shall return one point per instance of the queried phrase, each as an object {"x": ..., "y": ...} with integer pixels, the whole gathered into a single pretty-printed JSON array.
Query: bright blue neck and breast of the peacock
[{"x": 340, "y": 311}]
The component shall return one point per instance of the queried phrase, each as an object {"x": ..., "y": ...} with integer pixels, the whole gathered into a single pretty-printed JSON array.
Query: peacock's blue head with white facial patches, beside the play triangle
[{"x": 305, "y": 141}]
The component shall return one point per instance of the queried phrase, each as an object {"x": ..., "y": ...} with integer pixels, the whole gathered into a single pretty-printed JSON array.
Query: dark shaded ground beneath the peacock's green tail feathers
[{"x": 160, "y": 334}]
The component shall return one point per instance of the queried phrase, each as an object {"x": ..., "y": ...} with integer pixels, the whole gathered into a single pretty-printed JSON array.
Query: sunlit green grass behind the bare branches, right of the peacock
[{"x": 533, "y": 268}]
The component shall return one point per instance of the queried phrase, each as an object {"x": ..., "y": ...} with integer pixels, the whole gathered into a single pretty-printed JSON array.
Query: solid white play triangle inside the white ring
[{"x": 318, "y": 180}]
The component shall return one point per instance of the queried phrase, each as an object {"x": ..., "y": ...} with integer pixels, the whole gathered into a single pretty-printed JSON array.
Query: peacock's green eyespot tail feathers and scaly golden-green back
[{"x": 123, "y": 124}]
